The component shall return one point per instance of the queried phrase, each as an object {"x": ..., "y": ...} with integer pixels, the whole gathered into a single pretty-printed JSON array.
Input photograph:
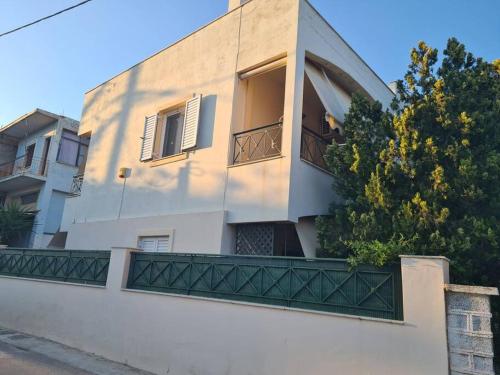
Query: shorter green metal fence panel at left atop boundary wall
[{"x": 75, "y": 266}]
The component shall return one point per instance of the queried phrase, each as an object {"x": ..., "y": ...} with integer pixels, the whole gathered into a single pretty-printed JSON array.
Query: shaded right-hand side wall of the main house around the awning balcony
[{"x": 310, "y": 188}]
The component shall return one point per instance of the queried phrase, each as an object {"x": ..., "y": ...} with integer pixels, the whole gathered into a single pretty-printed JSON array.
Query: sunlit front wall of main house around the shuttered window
[{"x": 201, "y": 182}]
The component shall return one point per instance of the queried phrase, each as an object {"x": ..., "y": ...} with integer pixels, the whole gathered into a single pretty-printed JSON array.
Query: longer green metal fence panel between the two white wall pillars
[{"x": 314, "y": 284}]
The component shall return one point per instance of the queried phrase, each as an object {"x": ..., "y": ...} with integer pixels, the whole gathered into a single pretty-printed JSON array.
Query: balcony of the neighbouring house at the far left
[{"x": 23, "y": 172}]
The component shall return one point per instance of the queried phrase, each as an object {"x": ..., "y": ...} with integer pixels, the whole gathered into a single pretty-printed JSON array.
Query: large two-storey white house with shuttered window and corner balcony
[{"x": 223, "y": 135}]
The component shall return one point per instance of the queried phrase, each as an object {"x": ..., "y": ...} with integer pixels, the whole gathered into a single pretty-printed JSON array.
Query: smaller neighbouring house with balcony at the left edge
[{"x": 40, "y": 153}]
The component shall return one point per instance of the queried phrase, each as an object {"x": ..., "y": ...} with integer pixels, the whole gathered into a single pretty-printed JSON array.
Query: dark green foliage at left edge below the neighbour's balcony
[{"x": 15, "y": 221}]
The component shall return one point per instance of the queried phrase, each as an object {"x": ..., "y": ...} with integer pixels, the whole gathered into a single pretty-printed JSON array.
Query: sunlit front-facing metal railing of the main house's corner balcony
[{"x": 258, "y": 143}]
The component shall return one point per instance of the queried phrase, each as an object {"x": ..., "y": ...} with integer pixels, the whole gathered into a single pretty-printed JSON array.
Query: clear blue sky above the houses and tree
[{"x": 51, "y": 65}]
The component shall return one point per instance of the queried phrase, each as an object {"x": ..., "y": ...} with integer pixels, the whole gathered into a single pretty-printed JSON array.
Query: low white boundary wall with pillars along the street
[{"x": 186, "y": 335}]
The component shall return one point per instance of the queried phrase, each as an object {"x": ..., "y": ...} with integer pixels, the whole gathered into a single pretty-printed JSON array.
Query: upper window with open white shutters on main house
[{"x": 171, "y": 132}]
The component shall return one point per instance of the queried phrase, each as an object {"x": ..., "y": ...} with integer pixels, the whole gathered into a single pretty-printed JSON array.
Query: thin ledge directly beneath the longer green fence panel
[{"x": 265, "y": 306}]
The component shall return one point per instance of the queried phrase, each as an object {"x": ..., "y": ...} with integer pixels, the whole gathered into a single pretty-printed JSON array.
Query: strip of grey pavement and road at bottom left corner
[{"x": 22, "y": 354}]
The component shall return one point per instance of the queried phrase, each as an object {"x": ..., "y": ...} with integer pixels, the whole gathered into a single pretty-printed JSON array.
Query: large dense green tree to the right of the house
[{"x": 423, "y": 178}]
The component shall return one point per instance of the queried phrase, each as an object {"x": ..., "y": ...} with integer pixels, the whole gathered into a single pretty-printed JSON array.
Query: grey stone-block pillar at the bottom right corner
[{"x": 470, "y": 340}]
